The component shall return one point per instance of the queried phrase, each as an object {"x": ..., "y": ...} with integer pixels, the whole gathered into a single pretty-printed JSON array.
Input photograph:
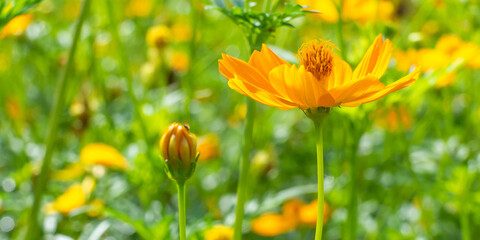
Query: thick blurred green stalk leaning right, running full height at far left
[{"x": 55, "y": 114}]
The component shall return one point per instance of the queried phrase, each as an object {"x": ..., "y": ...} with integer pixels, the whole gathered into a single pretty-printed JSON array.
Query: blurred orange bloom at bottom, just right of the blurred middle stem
[{"x": 272, "y": 224}]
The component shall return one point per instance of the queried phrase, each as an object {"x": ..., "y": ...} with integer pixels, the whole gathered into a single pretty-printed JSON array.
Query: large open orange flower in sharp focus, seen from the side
[{"x": 321, "y": 80}]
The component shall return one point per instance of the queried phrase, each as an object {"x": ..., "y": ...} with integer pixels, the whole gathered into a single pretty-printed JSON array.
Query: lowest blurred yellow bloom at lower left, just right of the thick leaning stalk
[{"x": 72, "y": 198}]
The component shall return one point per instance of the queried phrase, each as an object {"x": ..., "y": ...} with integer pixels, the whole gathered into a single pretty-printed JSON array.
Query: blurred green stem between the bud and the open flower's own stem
[{"x": 244, "y": 169}]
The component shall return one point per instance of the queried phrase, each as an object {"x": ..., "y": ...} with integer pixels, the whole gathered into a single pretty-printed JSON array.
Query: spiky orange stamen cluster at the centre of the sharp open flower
[{"x": 317, "y": 57}]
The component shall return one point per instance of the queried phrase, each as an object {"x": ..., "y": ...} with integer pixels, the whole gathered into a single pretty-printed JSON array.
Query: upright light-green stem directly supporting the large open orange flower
[{"x": 319, "y": 135}]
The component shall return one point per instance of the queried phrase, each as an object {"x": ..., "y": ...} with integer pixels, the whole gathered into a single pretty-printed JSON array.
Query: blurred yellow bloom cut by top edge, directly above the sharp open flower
[{"x": 356, "y": 10}]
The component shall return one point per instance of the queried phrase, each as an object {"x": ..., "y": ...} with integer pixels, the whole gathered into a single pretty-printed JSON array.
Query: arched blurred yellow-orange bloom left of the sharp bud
[{"x": 102, "y": 154}]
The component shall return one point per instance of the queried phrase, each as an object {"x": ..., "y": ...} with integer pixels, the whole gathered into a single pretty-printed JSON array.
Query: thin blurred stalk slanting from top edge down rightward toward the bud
[{"x": 124, "y": 66}]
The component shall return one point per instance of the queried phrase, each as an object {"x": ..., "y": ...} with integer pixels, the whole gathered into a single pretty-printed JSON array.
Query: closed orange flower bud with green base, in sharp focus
[{"x": 179, "y": 150}]
